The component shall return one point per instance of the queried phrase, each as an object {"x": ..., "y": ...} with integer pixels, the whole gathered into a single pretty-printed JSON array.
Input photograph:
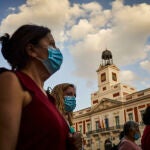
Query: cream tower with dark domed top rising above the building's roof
[{"x": 109, "y": 85}]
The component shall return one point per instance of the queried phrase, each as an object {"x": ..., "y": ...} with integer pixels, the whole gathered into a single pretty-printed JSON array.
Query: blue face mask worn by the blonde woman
[{"x": 70, "y": 103}]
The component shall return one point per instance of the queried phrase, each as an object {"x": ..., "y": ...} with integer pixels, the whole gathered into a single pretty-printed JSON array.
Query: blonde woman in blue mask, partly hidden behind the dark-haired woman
[{"x": 65, "y": 96}]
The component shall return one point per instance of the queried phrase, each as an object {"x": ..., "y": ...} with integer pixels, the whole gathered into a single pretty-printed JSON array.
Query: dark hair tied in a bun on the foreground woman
[{"x": 13, "y": 48}]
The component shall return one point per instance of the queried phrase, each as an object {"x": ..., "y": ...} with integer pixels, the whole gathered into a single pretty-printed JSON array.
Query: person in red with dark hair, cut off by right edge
[{"x": 145, "y": 141}]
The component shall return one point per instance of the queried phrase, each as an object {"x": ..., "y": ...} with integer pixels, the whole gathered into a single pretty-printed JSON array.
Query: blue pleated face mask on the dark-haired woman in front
[{"x": 54, "y": 60}]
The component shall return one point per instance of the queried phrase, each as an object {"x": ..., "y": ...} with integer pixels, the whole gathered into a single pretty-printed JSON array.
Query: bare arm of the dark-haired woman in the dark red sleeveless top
[{"x": 11, "y": 102}]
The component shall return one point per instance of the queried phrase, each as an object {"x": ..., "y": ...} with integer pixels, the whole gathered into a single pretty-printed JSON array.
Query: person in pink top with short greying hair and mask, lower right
[{"x": 131, "y": 134}]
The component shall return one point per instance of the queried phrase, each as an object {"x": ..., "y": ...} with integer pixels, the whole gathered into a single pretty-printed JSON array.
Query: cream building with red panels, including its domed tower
[{"x": 112, "y": 105}]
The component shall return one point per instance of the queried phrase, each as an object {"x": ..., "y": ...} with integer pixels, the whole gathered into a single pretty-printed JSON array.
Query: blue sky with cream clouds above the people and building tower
[{"x": 82, "y": 30}]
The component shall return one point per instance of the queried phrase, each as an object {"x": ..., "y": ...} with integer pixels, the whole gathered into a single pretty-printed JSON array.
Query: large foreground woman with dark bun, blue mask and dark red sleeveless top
[{"x": 29, "y": 119}]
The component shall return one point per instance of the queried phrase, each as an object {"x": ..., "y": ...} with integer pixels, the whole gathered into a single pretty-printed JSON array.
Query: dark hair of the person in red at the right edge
[{"x": 146, "y": 116}]
